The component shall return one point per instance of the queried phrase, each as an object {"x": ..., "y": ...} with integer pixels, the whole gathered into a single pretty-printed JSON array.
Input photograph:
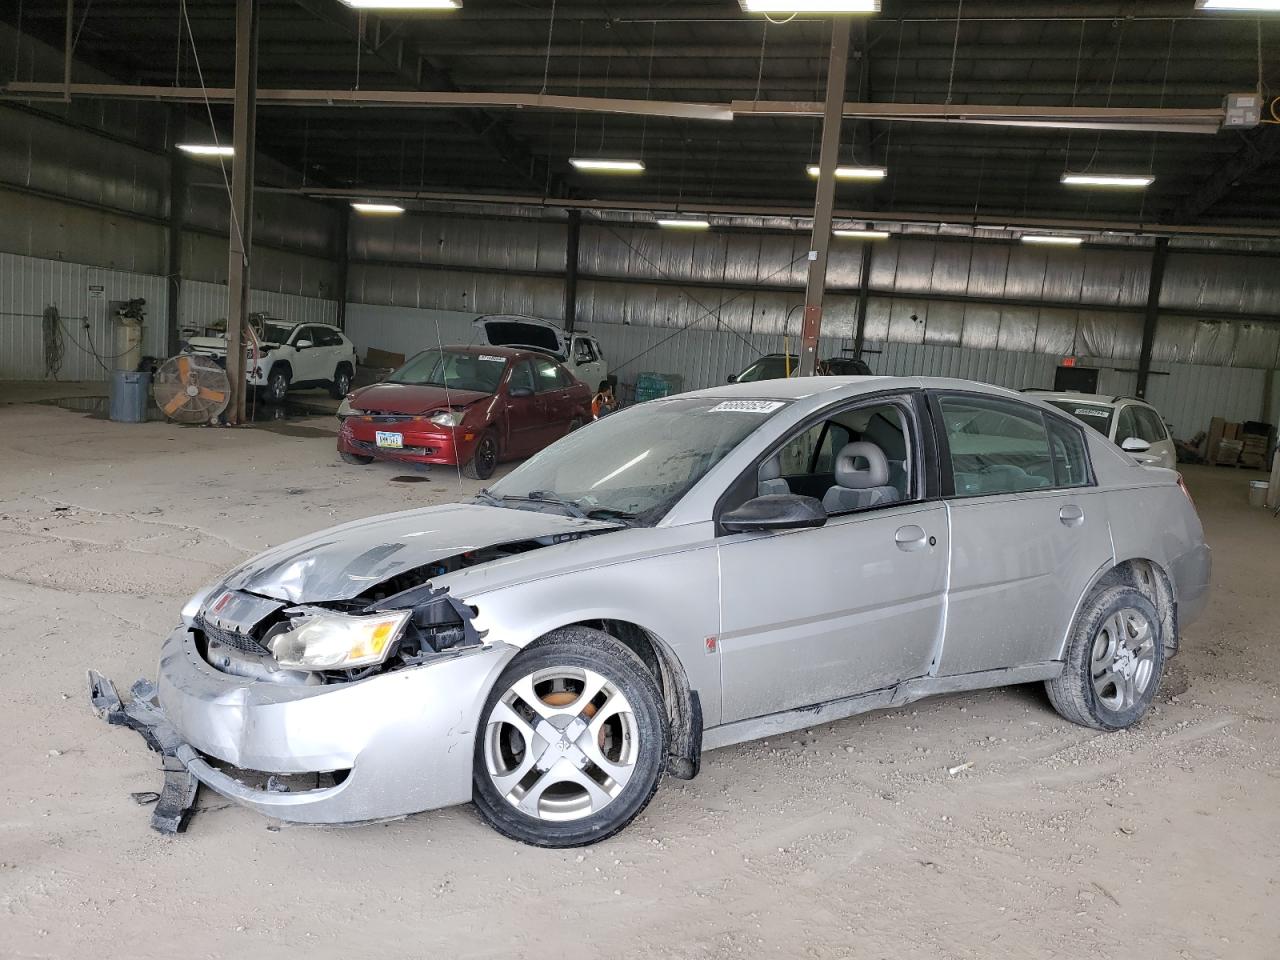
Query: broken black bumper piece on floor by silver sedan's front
[{"x": 179, "y": 794}]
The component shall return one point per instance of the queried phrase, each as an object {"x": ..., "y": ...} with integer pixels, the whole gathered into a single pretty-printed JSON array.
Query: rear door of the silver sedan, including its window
[{"x": 1030, "y": 531}]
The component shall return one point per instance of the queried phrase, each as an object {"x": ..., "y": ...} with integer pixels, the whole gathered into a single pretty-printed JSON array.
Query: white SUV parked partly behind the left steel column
[{"x": 291, "y": 355}]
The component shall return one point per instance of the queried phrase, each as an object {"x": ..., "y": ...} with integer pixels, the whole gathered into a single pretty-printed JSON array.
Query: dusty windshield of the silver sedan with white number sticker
[{"x": 636, "y": 465}]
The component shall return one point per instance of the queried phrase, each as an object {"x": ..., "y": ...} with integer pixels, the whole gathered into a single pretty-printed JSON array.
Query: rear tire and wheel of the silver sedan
[{"x": 1114, "y": 661}]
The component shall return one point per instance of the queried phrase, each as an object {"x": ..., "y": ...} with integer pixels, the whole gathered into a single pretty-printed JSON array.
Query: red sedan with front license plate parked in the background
[{"x": 468, "y": 406}]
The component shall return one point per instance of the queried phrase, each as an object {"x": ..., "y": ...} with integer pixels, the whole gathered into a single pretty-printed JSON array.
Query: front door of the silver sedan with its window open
[{"x": 810, "y": 616}]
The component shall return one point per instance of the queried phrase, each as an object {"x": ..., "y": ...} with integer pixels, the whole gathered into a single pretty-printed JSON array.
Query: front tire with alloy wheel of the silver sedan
[{"x": 551, "y": 807}]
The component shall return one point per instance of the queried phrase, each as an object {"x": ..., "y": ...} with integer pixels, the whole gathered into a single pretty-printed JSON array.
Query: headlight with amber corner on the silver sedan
[{"x": 324, "y": 641}]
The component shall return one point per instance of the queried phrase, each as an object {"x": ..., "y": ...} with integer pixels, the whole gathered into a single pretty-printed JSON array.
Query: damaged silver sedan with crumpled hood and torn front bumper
[{"x": 688, "y": 574}]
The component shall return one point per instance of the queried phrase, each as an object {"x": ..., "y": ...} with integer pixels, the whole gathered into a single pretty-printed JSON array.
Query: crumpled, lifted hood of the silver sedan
[{"x": 346, "y": 561}]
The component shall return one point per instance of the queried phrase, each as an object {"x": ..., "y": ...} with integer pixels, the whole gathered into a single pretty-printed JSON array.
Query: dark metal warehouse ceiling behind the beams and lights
[{"x": 916, "y": 52}]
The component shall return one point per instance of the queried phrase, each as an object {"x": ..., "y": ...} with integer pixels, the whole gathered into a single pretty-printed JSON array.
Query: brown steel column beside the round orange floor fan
[{"x": 243, "y": 202}]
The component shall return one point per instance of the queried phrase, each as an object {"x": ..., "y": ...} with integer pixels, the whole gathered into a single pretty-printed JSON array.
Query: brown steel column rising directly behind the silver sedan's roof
[{"x": 821, "y": 244}]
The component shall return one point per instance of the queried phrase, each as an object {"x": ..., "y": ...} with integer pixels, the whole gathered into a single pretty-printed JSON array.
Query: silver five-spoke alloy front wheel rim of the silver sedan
[{"x": 561, "y": 744}]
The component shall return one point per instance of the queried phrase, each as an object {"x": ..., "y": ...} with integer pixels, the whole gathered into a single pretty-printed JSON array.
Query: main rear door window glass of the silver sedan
[{"x": 996, "y": 446}]
